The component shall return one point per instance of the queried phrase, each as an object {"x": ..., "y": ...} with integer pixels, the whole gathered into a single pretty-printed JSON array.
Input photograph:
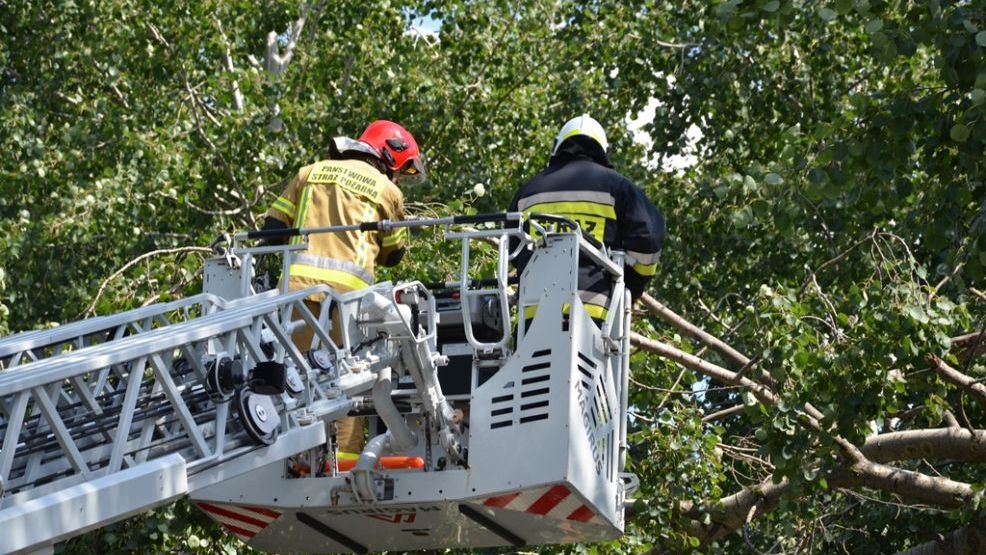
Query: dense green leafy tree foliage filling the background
[{"x": 832, "y": 227}]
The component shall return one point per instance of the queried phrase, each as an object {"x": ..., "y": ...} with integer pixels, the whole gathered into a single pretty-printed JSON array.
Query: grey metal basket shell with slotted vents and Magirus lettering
[{"x": 552, "y": 416}]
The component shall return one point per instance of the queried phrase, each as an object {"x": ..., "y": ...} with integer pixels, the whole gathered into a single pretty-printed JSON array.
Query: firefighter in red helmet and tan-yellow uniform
[{"x": 358, "y": 183}]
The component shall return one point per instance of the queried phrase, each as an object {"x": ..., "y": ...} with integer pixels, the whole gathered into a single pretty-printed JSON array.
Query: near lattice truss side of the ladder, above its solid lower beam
[{"x": 39, "y": 397}]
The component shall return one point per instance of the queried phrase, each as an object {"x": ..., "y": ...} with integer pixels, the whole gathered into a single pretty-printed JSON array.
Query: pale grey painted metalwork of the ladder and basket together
[{"x": 118, "y": 404}]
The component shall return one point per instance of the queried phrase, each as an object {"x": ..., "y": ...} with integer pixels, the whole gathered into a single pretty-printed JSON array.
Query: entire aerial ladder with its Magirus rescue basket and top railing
[{"x": 486, "y": 429}]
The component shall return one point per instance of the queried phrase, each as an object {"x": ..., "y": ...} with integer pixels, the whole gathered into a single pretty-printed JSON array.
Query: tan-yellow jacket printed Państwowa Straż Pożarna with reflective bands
[{"x": 340, "y": 192}]
